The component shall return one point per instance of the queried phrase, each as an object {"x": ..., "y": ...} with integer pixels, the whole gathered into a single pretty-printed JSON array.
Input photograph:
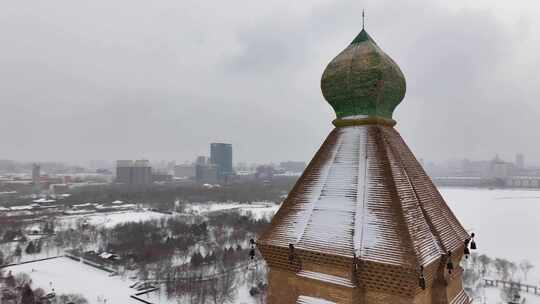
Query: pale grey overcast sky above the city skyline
[{"x": 121, "y": 79}]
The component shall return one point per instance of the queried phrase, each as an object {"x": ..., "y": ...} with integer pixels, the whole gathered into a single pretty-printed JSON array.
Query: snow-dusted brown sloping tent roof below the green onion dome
[{"x": 364, "y": 195}]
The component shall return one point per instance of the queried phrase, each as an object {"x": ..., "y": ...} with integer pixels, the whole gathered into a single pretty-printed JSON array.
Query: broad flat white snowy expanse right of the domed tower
[{"x": 506, "y": 222}]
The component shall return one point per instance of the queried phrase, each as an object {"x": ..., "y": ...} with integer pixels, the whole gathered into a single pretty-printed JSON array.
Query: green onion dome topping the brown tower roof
[{"x": 363, "y": 82}]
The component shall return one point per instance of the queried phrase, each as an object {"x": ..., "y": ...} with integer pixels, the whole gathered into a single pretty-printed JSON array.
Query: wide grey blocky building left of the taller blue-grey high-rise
[{"x": 134, "y": 173}]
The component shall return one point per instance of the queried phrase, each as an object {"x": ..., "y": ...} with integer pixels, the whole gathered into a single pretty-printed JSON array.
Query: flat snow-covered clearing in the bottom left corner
[{"x": 69, "y": 276}]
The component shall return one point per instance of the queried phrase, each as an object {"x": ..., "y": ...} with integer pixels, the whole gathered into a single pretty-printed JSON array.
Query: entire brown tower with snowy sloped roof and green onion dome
[{"x": 364, "y": 223}]
